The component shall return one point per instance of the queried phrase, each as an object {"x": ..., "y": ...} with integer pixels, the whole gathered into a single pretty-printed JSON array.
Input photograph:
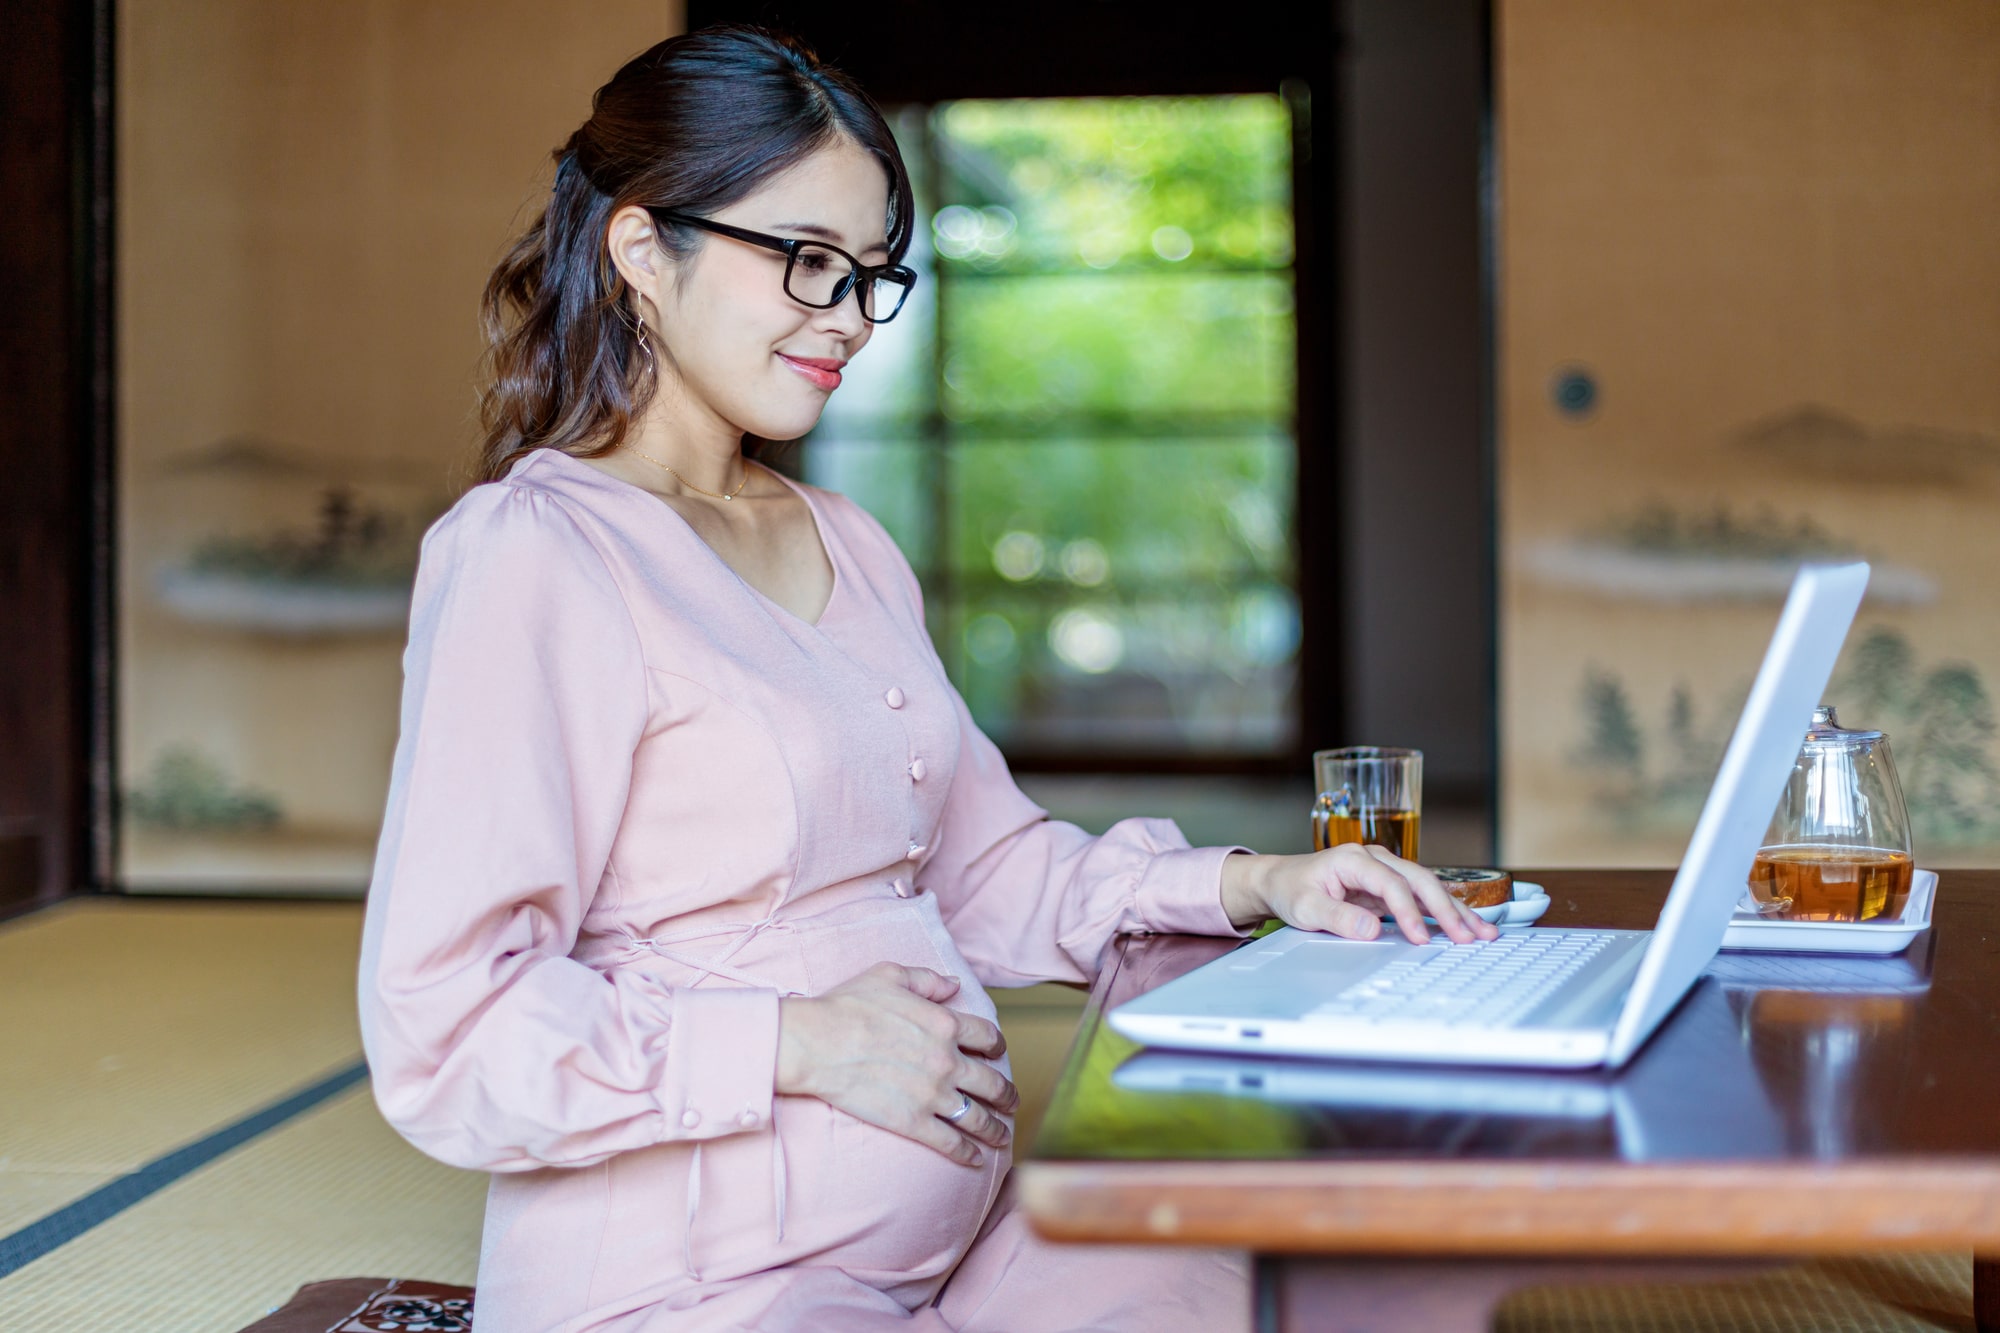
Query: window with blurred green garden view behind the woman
[{"x": 1083, "y": 429}]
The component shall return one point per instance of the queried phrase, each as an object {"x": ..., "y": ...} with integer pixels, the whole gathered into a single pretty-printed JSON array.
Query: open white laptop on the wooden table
[{"x": 1541, "y": 998}]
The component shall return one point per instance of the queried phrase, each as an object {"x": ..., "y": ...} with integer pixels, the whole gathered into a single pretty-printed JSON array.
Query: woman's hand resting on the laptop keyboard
[{"x": 1347, "y": 892}]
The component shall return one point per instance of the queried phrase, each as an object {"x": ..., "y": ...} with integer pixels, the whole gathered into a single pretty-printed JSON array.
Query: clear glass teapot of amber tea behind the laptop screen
[{"x": 1839, "y": 846}]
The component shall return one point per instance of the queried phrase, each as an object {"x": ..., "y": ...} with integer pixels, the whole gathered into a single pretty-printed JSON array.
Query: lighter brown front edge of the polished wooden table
[{"x": 1527, "y": 1208}]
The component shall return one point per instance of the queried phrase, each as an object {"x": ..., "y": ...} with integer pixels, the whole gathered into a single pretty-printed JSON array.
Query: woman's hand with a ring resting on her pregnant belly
[{"x": 885, "y": 1050}]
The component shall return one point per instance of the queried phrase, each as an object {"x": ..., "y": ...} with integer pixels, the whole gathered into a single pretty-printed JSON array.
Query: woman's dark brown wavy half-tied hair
[{"x": 695, "y": 125}]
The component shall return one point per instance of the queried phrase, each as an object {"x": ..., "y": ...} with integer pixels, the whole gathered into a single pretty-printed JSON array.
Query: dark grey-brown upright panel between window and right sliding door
[{"x": 1417, "y": 525}]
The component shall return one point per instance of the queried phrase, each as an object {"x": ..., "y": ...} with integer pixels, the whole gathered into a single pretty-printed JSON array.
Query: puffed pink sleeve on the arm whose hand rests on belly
[{"x": 525, "y": 702}]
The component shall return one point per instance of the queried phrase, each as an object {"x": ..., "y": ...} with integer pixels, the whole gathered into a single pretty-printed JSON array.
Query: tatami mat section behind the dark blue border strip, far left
[{"x": 137, "y": 1028}]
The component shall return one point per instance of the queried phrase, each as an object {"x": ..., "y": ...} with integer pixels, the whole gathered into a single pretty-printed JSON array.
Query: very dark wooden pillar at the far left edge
[{"x": 55, "y": 445}]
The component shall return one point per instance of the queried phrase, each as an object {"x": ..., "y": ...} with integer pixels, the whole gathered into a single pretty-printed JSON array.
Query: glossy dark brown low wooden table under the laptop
[{"x": 1771, "y": 1118}]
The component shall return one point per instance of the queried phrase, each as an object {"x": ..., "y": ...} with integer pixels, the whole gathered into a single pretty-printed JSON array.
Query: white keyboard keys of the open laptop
[{"x": 1469, "y": 986}]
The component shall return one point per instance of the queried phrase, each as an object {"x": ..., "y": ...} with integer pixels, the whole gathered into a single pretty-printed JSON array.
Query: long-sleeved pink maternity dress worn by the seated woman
[{"x": 635, "y": 804}]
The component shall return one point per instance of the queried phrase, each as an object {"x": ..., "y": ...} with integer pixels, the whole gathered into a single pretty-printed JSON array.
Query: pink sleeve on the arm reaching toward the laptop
[{"x": 1037, "y": 900}]
